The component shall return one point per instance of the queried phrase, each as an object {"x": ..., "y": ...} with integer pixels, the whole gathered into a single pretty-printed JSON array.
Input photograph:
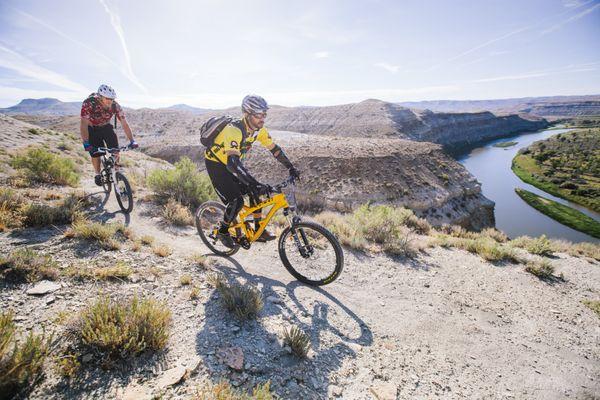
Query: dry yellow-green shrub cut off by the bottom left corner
[{"x": 20, "y": 361}]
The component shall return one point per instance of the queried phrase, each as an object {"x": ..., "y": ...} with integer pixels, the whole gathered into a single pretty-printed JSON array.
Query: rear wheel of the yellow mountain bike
[{"x": 208, "y": 218}]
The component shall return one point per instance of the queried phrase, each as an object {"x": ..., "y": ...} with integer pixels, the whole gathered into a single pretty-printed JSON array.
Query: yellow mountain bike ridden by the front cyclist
[{"x": 308, "y": 250}]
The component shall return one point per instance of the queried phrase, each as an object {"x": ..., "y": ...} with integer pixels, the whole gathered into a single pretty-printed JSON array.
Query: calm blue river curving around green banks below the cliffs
[{"x": 491, "y": 166}]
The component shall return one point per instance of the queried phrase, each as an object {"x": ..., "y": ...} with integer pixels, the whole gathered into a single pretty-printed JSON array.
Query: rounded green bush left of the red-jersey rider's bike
[{"x": 40, "y": 165}]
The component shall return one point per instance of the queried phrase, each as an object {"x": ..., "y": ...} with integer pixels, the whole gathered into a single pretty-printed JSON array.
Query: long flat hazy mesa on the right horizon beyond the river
[{"x": 552, "y": 106}]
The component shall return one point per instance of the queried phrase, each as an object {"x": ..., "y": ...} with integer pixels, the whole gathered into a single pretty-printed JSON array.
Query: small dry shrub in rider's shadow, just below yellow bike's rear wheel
[{"x": 243, "y": 301}]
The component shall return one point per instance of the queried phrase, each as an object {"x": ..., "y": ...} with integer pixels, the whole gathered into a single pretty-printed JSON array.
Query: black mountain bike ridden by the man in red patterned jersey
[{"x": 111, "y": 177}]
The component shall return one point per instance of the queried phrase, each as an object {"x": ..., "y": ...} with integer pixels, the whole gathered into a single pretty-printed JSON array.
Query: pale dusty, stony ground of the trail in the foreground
[{"x": 446, "y": 325}]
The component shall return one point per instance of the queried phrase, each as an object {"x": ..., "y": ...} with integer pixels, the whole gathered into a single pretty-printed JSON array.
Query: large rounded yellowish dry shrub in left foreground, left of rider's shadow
[{"x": 124, "y": 328}]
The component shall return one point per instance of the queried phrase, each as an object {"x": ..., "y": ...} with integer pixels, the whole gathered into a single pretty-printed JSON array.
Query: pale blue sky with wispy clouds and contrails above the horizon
[{"x": 211, "y": 53}]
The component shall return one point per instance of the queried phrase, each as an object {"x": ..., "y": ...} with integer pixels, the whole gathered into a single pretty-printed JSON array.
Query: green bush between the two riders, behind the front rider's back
[{"x": 184, "y": 184}]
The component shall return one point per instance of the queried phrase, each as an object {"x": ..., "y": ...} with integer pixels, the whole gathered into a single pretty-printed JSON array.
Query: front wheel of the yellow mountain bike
[{"x": 311, "y": 253}]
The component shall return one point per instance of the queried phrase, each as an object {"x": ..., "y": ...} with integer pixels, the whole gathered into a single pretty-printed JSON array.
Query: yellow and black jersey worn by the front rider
[{"x": 232, "y": 138}]
